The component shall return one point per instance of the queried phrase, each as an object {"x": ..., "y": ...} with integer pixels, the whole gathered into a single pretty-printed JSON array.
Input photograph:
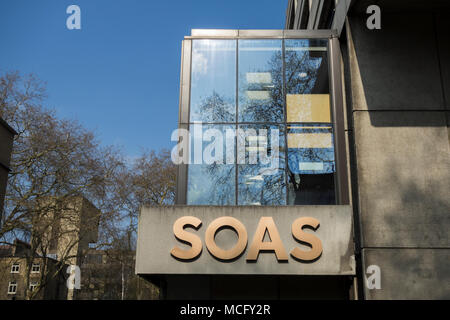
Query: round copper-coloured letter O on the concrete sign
[{"x": 214, "y": 227}]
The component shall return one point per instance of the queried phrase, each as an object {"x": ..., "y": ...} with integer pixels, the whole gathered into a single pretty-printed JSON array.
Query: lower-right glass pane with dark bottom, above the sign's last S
[{"x": 311, "y": 164}]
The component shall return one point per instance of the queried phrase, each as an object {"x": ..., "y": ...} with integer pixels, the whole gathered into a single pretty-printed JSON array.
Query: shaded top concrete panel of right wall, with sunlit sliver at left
[{"x": 397, "y": 67}]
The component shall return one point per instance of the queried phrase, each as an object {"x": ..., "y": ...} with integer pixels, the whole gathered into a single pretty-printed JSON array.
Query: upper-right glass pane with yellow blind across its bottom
[{"x": 307, "y": 89}]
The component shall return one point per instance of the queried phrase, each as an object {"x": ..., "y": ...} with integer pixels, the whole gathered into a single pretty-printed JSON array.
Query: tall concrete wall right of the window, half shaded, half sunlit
[{"x": 398, "y": 92}]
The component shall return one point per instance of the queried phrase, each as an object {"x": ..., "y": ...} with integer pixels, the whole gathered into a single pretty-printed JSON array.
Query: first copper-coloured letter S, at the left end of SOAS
[{"x": 189, "y": 238}]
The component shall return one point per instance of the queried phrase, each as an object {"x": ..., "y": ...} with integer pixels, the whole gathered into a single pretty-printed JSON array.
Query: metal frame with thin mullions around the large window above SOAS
[{"x": 336, "y": 97}]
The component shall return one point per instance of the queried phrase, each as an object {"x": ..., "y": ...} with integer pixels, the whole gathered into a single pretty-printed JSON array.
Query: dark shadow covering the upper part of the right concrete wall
[{"x": 404, "y": 67}]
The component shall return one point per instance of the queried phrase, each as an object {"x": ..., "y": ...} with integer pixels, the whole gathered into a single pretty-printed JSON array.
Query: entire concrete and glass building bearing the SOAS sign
[{"x": 313, "y": 162}]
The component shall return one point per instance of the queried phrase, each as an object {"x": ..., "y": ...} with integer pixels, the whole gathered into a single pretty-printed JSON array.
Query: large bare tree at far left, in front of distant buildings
[{"x": 53, "y": 162}]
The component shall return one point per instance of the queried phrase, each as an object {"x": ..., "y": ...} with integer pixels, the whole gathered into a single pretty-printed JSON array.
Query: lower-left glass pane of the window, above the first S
[{"x": 211, "y": 174}]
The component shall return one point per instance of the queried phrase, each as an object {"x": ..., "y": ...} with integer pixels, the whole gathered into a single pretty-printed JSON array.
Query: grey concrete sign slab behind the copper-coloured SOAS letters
[{"x": 156, "y": 239}]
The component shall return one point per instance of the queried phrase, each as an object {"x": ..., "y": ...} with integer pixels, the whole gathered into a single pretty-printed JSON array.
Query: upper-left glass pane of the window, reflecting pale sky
[{"x": 213, "y": 81}]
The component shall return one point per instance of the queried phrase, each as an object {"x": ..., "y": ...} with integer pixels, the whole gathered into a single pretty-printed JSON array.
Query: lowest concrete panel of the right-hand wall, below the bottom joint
[{"x": 409, "y": 273}]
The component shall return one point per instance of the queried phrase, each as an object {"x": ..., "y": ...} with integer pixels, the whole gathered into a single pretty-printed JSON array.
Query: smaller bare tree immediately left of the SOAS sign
[{"x": 150, "y": 180}]
